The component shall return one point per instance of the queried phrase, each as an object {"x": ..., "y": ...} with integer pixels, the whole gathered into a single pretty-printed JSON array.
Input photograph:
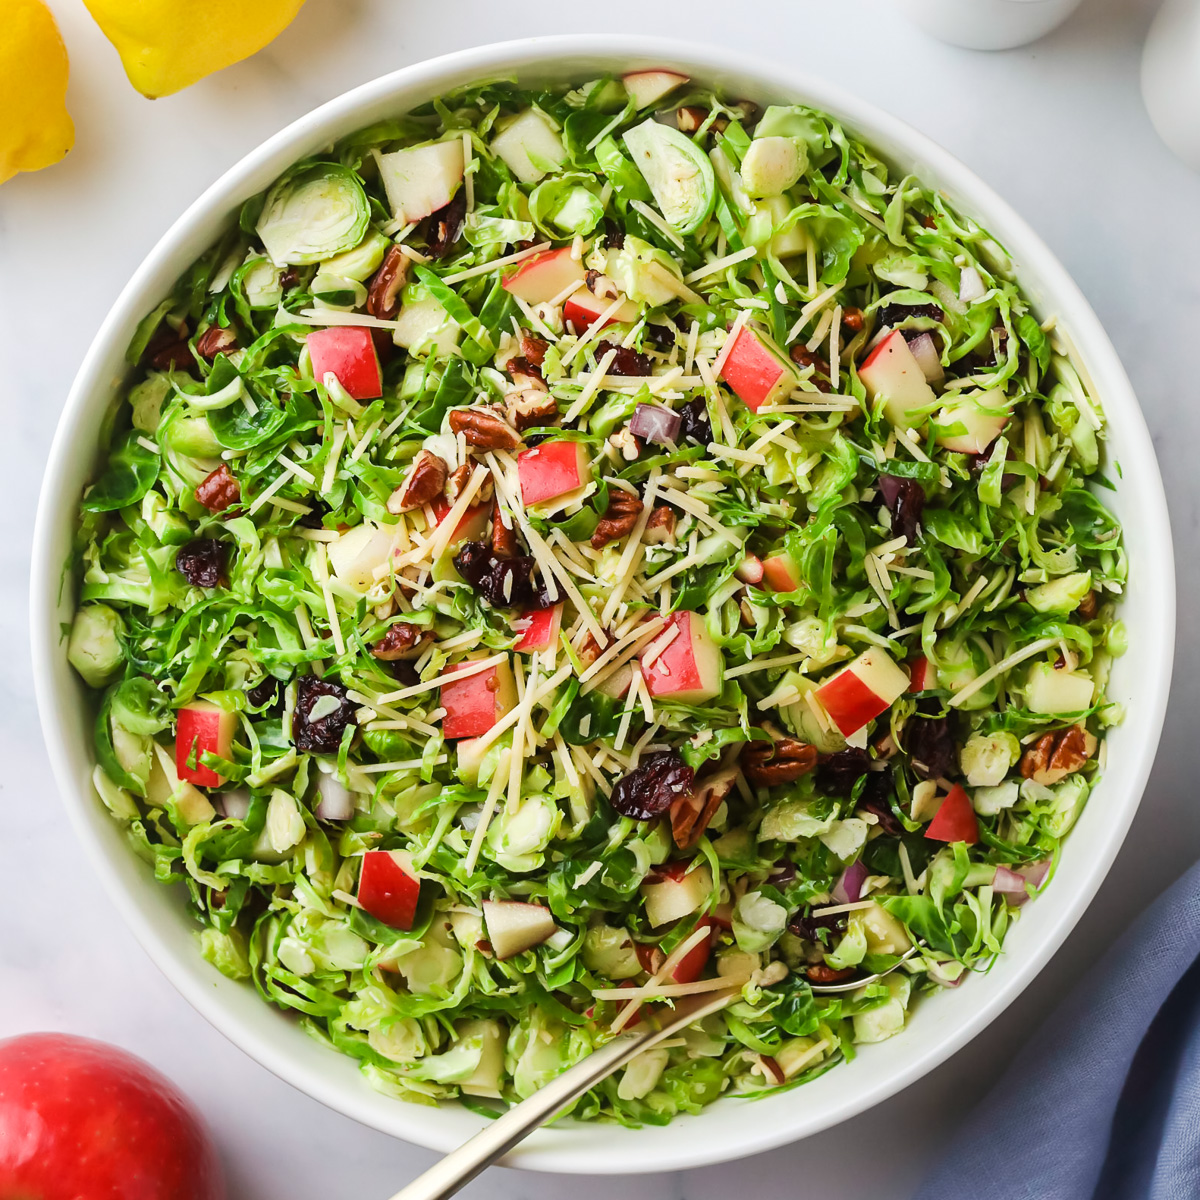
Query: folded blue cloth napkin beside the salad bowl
[{"x": 1105, "y": 1103}]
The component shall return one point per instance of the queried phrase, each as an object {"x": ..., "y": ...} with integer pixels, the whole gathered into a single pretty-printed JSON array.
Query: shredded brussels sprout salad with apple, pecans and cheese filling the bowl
[{"x": 565, "y": 551}]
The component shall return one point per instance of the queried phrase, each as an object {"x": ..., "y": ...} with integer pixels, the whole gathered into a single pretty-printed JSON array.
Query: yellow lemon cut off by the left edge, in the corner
[{"x": 35, "y": 128}]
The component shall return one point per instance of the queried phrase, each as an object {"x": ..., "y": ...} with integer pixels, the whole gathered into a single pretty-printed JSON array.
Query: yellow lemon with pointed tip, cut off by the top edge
[{"x": 170, "y": 45}]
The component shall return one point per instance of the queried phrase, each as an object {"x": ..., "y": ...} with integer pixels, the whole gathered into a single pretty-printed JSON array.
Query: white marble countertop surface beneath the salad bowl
[{"x": 1057, "y": 128}]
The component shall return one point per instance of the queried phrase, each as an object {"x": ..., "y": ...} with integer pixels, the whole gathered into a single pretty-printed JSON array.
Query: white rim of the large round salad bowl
[{"x": 544, "y": 57}]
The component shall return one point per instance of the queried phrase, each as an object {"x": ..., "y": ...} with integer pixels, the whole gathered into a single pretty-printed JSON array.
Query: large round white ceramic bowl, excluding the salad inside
[{"x": 731, "y": 1129}]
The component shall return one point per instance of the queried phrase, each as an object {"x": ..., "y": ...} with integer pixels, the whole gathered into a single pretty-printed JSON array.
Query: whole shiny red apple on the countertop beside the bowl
[{"x": 81, "y": 1120}]
